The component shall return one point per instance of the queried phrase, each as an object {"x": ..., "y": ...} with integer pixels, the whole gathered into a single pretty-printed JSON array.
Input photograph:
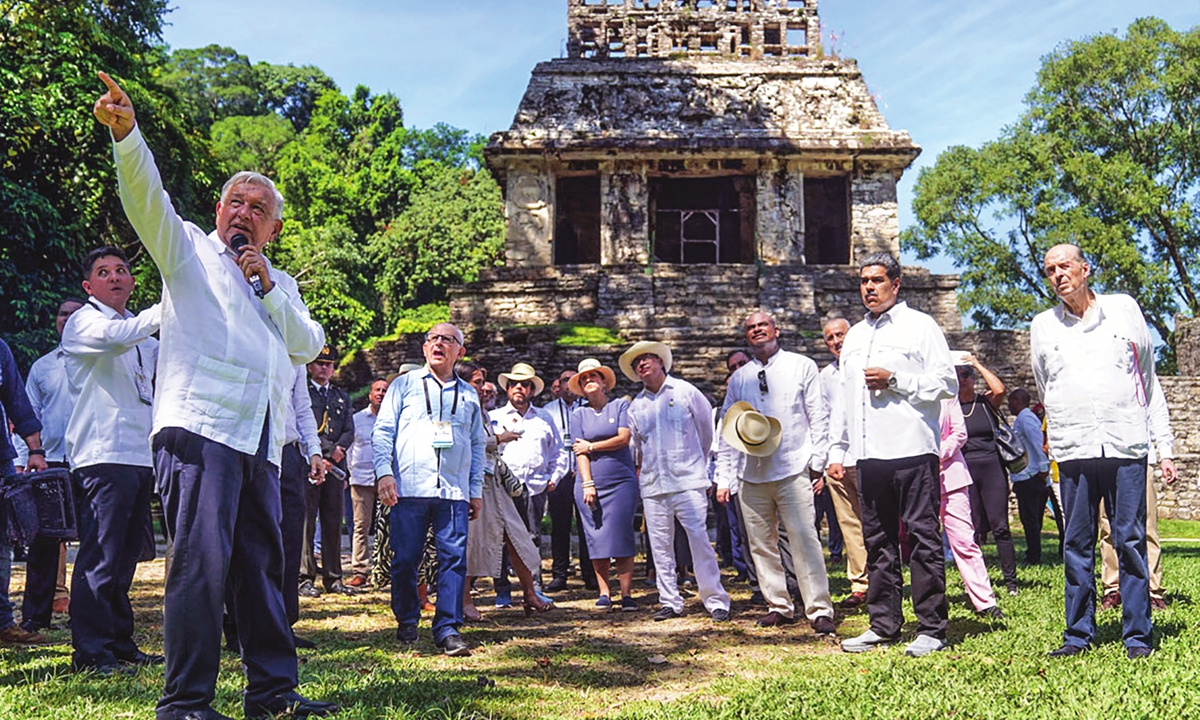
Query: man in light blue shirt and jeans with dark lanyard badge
[{"x": 429, "y": 445}]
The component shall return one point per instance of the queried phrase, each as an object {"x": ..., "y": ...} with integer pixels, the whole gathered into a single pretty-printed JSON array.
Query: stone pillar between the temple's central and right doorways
[{"x": 781, "y": 218}]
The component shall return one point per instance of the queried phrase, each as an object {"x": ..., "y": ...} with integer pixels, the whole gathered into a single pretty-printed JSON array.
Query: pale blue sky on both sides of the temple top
[{"x": 950, "y": 73}]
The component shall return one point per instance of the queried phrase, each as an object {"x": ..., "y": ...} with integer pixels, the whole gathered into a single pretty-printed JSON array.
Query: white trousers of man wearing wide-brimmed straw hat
[{"x": 691, "y": 508}]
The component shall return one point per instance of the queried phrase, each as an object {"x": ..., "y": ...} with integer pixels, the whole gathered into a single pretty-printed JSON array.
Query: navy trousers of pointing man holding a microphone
[{"x": 223, "y": 511}]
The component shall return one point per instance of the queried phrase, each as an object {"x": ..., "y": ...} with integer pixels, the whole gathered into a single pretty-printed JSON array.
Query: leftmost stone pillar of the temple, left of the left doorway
[{"x": 530, "y": 211}]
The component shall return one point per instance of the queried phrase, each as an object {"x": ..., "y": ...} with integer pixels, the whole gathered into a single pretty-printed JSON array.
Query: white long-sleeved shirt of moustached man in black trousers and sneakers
[{"x": 899, "y": 422}]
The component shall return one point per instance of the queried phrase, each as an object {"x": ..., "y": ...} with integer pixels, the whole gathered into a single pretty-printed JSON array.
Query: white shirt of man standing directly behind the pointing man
[{"x": 106, "y": 353}]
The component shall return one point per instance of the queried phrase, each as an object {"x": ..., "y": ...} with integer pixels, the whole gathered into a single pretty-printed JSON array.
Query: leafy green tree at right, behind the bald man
[{"x": 1107, "y": 155}]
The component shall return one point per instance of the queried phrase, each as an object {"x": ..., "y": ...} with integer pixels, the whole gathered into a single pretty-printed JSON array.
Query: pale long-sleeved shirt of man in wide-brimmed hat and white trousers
[{"x": 673, "y": 434}]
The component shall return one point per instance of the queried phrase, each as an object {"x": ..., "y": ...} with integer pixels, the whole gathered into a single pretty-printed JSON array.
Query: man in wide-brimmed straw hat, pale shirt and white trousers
[{"x": 673, "y": 431}]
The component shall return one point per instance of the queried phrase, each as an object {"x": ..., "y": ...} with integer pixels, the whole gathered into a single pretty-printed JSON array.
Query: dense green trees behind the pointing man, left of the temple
[{"x": 379, "y": 217}]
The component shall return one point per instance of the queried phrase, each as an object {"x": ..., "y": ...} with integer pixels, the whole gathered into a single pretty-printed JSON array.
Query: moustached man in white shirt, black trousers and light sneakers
[{"x": 897, "y": 370}]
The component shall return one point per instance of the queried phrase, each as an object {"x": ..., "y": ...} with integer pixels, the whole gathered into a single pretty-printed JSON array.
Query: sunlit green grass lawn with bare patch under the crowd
[{"x": 574, "y": 663}]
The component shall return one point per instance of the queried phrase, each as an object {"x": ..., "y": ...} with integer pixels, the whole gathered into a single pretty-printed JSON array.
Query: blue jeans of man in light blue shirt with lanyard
[{"x": 411, "y": 520}]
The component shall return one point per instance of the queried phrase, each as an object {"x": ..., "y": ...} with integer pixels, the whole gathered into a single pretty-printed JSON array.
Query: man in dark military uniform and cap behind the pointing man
[{"x": 335, "y": 427}]
